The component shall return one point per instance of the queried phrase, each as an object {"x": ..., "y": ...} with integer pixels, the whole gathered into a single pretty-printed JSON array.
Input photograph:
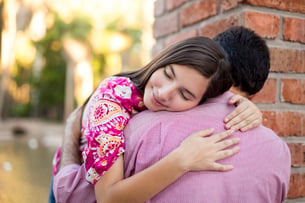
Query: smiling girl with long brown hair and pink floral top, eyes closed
[{"x": 181, "y": 77}]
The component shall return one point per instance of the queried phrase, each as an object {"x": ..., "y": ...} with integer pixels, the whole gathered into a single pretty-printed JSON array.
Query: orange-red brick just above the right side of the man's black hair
[{"x": 265, "y": 25}]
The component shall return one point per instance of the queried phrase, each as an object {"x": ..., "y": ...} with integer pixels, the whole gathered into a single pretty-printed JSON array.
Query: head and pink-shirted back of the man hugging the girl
[{"x": 262, "y": 166}]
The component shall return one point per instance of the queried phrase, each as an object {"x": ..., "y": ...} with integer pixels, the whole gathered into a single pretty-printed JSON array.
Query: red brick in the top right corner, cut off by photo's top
[{"x": 289, "y": 5}]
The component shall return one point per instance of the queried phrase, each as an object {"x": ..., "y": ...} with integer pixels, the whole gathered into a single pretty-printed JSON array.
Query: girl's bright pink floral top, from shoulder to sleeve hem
[{"x": 105, "y": 116}]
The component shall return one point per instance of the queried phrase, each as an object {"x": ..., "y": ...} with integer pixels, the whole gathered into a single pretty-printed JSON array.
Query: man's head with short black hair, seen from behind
[{"x": 249, "y": 58}]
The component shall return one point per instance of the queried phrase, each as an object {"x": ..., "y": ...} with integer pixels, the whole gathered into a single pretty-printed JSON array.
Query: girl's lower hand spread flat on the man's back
[{"x": 200, "y": 151}]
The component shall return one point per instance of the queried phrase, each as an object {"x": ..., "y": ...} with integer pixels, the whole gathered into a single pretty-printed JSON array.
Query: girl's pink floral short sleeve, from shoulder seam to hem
[{"x": 105, "y": 138}]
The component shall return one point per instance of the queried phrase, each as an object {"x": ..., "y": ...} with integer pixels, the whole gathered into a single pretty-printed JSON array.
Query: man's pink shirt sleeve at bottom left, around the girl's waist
[{"x": 70, "y": 185}]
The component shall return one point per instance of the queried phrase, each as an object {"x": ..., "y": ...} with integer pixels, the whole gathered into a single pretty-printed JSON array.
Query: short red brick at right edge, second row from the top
[{"x": 294, "y": 29}]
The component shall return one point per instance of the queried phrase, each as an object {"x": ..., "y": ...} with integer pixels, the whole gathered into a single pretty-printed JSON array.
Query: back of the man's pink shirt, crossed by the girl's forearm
[{"x": 261, "y": 168}]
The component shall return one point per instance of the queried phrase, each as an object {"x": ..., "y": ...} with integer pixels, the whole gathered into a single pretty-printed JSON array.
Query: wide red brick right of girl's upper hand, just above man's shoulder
[{"x": 285, "y": 123}]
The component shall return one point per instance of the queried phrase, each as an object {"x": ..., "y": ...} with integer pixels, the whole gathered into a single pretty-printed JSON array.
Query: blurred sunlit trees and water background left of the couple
[{"x": 53, "y": 54}]
